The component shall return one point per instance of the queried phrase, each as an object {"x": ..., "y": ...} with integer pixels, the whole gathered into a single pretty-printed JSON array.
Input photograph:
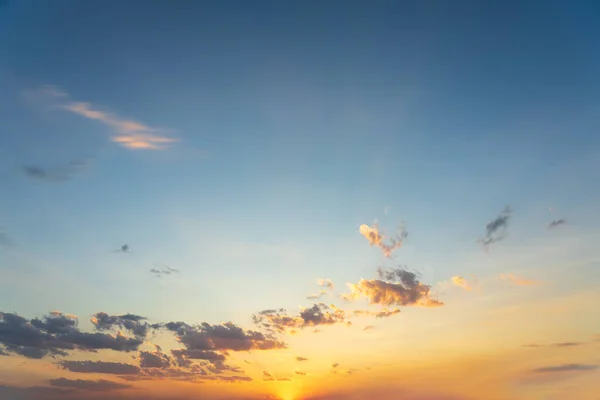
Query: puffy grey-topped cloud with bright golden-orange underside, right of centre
[{"x": 394, "y": 287}]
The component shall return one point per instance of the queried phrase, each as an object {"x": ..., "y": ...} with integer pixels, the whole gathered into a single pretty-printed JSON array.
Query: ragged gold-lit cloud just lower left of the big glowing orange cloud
[{"x": 278, "y": 321}]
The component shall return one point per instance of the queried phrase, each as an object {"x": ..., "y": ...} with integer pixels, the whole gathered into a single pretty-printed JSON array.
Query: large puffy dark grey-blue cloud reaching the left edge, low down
[{"x": 55, "y": 335}]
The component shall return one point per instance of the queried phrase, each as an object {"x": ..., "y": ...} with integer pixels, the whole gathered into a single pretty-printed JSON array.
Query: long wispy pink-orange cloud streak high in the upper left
[{"x": 127, "y": 133}]
